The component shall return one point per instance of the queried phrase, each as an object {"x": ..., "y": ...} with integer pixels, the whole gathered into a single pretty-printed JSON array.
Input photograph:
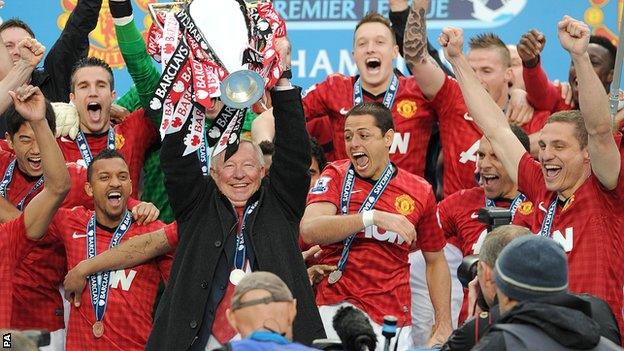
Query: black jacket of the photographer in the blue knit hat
[{"x": 563, "y": 318}]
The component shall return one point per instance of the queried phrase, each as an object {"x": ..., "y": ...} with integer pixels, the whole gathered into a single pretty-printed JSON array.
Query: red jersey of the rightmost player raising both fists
[{"x": 589, "y": 229}]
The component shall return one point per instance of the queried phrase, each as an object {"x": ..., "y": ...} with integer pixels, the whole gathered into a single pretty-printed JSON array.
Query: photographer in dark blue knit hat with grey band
[{"x": 537, "y": 312}]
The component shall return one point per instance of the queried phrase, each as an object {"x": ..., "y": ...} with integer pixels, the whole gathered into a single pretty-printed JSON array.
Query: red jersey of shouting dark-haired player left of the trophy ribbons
[{"x": 133, "y": 137}]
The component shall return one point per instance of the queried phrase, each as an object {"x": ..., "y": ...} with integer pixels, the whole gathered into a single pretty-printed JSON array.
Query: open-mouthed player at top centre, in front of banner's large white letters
[{"x": 374, "y": 49}]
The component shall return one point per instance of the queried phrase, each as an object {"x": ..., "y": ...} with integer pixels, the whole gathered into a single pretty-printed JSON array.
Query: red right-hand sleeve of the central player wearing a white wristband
[{"x": 428, "y": 233}]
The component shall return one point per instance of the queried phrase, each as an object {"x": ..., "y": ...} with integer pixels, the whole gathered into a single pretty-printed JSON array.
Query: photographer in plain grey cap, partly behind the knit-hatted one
[{"x": 466, "y": 336}]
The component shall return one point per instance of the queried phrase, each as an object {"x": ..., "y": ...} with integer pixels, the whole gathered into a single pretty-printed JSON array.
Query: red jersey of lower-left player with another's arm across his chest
[{"x": 128, "y": 318}]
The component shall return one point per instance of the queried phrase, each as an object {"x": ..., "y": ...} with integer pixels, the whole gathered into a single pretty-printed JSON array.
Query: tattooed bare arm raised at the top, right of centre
[{"x": 428, "y": 74}]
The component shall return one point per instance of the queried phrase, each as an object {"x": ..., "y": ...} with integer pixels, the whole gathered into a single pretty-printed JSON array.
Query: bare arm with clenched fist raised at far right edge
[{"x": 603, "y": 151}]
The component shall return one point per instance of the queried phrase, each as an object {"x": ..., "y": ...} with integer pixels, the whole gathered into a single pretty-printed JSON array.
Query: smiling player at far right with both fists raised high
[{"x": 577, "y": 183}]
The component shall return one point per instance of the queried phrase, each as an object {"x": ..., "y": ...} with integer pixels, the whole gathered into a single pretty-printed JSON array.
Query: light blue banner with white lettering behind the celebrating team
[{"x": 321, "y": 31}]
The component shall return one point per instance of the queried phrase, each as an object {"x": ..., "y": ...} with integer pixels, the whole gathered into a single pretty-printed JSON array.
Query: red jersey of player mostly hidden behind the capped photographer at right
[{"x": 459, "y": 221}]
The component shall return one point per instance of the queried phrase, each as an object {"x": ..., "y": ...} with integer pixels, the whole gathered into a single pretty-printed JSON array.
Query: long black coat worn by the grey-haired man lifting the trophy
[{"x": 206, "y": 218}]
